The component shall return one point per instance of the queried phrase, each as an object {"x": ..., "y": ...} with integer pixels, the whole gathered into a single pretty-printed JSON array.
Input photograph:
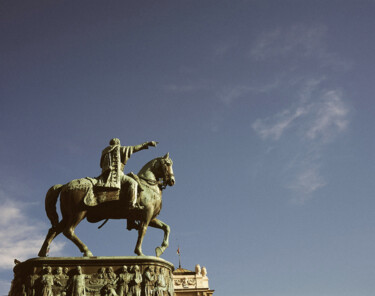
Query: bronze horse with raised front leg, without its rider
[{"x": 74, "y": 210}]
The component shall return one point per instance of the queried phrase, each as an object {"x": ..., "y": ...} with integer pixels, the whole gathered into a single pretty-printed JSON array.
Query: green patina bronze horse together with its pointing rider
[{"x": 113, "y": 195}]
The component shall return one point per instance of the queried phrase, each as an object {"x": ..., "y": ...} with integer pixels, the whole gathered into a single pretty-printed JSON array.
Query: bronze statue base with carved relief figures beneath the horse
[{"x": 94, "y": 276}]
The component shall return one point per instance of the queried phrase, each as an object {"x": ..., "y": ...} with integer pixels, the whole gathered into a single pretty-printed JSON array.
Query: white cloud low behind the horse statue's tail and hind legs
[{"x": 20, "y": 236}]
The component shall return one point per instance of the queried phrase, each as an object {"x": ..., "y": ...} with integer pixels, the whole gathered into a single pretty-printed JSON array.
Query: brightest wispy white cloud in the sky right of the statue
[{"x": 318, "y": 118}]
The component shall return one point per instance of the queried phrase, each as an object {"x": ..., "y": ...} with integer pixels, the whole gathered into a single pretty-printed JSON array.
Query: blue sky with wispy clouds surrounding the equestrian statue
[{"x": 266, "y": 108}]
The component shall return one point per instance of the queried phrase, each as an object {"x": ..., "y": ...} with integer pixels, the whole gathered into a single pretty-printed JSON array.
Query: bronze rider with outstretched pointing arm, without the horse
[{"x": 112, "y": 162}]
